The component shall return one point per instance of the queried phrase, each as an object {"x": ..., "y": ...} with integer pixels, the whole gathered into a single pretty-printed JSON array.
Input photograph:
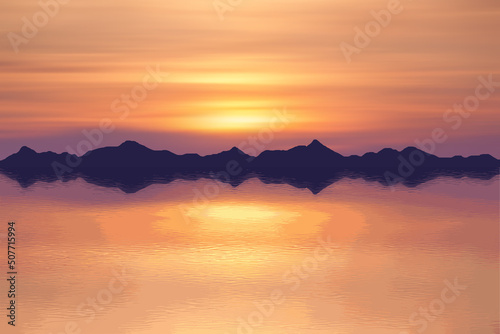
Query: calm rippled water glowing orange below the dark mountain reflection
[{"x": 355, "y": 258}]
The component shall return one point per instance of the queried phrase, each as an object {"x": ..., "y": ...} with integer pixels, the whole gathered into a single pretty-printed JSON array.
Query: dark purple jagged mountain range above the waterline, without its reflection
[{"x": 131, "y": 154}]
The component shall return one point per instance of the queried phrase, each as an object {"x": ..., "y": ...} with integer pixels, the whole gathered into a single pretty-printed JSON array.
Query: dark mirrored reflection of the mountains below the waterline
[{"x": 131, "y": 181}]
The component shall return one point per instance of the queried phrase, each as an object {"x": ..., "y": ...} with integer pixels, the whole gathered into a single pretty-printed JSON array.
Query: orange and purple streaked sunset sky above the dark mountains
[{"x": 223, "y": 80}]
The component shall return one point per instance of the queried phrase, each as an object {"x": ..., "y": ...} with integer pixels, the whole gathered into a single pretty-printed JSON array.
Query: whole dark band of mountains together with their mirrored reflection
[{"x": 132, "y": 167}]
